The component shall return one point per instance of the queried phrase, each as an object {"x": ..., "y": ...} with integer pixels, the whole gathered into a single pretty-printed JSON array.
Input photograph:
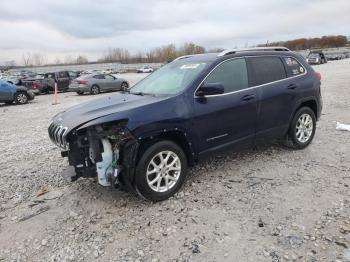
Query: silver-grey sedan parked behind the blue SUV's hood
[{"x": 96, "y": 83}]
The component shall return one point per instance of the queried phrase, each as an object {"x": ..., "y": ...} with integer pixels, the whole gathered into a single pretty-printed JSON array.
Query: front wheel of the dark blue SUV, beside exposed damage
[{"x": 161, "y": 171}]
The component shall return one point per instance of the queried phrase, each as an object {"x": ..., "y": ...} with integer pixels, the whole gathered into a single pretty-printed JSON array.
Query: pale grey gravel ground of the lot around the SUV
[{"x": 263, "y": 204}]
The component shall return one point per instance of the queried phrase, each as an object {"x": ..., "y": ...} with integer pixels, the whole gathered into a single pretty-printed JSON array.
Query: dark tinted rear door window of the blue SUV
[{"x": 266, "y": 69}]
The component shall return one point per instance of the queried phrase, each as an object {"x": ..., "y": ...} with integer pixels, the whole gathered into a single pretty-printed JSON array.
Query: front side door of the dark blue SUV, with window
[{"x": 227, "y": 118}]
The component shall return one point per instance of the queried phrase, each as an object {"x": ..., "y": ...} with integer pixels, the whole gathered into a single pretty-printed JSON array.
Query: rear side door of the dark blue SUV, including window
[{"x": 276, "y": 94}]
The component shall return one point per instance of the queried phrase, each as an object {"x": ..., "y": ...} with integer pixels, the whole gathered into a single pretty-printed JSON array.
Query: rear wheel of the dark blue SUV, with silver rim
[{"x": 302, "y": 129}]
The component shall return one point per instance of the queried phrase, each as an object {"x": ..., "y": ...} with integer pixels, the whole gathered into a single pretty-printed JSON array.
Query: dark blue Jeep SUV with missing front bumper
[{"x": 144, "y": 139}]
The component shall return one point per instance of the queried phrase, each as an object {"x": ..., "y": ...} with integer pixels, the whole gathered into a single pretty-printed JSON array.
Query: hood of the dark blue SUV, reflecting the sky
[{"x": 113, "y": 104}]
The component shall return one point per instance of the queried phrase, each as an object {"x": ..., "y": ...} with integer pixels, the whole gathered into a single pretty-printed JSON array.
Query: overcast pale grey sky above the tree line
[{"x": 89, "y": 27}]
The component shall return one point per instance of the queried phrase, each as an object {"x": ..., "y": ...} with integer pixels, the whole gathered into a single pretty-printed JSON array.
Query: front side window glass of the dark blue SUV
[{"x": 231, "y": 74}]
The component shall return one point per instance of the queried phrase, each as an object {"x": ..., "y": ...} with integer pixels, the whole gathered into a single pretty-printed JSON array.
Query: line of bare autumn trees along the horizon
[{"x": 167, "y": 53}]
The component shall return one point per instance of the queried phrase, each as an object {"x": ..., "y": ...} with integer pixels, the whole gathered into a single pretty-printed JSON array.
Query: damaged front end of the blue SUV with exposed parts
[{"x": 107, "y": 151}]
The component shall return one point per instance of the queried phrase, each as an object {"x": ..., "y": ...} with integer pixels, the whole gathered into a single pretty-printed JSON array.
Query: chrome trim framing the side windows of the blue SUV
[{"x": 252, "y": 87}]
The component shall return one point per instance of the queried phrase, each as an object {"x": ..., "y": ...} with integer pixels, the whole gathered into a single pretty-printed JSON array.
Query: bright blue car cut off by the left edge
[{"x": 10, "y": 93}]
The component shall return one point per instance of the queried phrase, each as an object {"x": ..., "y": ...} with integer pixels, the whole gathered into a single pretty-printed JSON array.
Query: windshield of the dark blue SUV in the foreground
[{"x": 171, "y": 79}]
